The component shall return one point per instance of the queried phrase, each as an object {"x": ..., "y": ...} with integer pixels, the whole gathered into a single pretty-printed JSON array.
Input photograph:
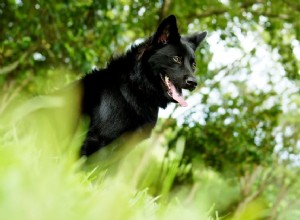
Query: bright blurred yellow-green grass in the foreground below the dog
[{"x": 41, "y": 176}]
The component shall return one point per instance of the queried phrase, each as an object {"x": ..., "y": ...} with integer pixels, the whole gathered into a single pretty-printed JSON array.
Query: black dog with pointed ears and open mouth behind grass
[{"x": 126, "y": 96}]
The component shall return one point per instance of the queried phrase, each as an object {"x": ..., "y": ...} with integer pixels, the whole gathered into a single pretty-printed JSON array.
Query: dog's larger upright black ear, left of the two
[{"x": 167, "y": 31}]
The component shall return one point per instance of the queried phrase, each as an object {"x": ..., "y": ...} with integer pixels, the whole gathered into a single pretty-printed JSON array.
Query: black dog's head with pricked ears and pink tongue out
[{"x": 173, "y": 60}]
